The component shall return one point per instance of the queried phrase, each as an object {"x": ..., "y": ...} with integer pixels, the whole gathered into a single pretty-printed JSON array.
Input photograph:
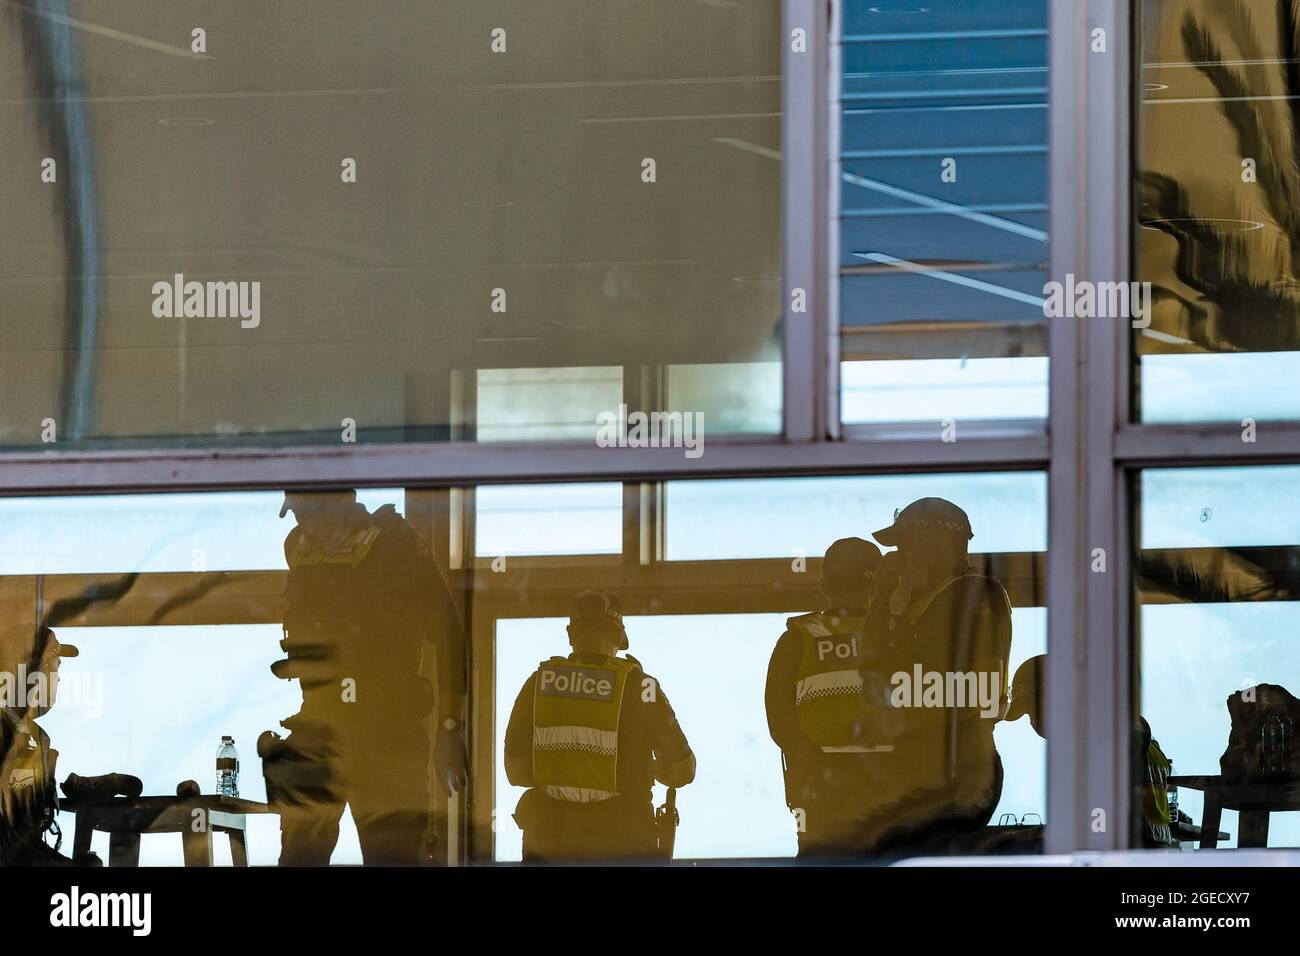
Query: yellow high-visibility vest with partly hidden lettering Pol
[{"x": 829, "y": 687}]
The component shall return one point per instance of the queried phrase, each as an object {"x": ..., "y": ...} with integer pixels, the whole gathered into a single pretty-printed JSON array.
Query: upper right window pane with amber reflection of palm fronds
[{"x": 1216, "y": 211}]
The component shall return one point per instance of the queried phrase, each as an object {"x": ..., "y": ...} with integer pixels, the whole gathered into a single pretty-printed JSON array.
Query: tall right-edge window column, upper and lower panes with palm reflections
[{"x": 1214, "y": 543}]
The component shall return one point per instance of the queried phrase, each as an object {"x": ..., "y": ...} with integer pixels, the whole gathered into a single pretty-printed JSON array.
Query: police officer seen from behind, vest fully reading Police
[{"x": 590, "y": 736}]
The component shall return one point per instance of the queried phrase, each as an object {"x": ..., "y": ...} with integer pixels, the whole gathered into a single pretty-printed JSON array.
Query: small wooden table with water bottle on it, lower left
[{"x": 196, "y": 819}]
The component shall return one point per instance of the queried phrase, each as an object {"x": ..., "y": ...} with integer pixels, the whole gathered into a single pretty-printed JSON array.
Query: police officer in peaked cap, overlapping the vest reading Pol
[{"x": 933, "y": 613}]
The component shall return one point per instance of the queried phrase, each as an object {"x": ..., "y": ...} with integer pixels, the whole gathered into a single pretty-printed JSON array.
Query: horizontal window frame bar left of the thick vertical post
[{"x": 469, "y": 464}]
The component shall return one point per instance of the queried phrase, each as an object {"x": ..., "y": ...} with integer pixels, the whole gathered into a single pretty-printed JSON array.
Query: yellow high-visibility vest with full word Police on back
[{"x": 577, "y": 711}]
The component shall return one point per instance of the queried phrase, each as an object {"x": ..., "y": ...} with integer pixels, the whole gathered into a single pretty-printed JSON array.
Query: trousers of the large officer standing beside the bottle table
[{"x": 385, "y": 782}]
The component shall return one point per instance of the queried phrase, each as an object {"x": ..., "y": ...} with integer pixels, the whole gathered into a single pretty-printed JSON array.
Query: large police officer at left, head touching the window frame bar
[{"x": 365, "y": 602}]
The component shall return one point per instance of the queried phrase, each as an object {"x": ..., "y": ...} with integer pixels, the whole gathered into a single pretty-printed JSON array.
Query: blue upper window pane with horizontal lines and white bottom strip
[{"x": 943, "y": 214}]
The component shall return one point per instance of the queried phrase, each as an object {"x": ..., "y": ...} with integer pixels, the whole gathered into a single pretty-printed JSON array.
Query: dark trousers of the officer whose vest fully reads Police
[{"x": 609, "y": 832}]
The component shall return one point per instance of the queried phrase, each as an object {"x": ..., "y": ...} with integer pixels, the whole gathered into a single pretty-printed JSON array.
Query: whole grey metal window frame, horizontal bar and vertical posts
[{"x": 1087, "y": 447}]
